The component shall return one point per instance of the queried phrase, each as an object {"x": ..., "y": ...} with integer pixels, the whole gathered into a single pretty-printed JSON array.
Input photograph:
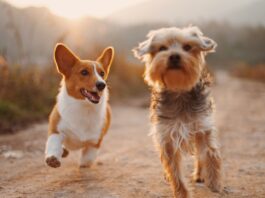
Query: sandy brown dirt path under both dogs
[{"x": 128, "y": 165}]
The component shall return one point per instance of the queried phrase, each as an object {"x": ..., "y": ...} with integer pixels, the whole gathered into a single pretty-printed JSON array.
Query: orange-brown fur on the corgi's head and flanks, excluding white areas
[{"x": 75, "y": 81}]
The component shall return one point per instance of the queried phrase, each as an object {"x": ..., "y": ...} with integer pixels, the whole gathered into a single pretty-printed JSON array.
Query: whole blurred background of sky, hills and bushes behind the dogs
[{"x": 29, "y": 30}]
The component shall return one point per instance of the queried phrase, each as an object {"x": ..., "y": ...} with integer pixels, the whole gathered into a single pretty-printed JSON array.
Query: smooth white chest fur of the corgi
[{"x": 81, "y": 120}]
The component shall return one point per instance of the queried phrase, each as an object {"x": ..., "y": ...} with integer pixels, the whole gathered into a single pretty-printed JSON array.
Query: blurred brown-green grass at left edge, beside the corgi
[{"x": 26, "y": 95}]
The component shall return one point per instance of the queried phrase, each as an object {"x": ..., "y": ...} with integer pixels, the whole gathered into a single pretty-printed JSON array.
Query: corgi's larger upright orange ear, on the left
[{"x": 65, "y": 59}]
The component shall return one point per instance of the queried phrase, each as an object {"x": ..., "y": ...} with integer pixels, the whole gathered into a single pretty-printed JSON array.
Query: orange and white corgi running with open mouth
[{"x": 81, "y": 116}]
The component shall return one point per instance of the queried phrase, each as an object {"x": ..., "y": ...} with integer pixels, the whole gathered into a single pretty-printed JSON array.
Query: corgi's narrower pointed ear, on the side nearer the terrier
[{"x": 106, "y": 58}]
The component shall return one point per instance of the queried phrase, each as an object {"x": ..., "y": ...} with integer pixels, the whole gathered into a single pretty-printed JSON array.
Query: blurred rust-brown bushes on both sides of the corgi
[{"x": 28, "y": 94}]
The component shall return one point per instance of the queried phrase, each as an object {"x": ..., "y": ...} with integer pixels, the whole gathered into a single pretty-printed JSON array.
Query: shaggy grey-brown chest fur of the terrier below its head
[{"x": 179, "y": 115}]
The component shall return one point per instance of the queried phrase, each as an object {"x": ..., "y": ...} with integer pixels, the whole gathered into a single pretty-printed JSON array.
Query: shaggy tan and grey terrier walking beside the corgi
[{"x": 181, "y": 104}]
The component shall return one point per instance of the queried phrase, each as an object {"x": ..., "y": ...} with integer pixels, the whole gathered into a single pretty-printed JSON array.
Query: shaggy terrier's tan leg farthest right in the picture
[{"x": 209, "y": 162}]
